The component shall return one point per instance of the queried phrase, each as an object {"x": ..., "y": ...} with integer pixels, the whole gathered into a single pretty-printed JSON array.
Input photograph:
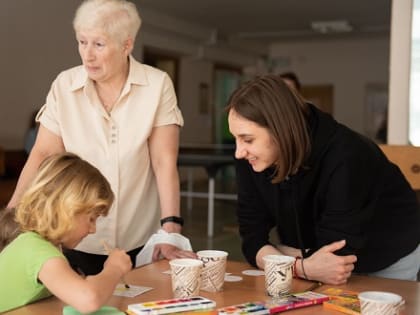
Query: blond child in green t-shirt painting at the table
[{"x": 60, "y": 208}]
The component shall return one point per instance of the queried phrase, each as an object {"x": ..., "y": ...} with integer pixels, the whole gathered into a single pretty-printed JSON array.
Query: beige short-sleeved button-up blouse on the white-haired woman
[{"x": 116, "y": 143}]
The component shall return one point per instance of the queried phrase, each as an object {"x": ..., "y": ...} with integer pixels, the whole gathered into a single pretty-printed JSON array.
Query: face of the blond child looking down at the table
[{"x": 84, "y": 225}]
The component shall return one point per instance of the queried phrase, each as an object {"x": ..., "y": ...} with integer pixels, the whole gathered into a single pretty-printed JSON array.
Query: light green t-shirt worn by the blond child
[{"x": 20, "y": 263}]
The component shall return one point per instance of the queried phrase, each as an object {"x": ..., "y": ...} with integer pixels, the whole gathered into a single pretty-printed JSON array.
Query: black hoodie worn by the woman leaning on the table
[{"x": 347, "y": 189}]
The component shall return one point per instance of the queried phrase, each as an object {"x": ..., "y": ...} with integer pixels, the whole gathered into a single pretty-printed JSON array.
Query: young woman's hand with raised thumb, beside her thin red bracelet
[{"x": 325, "y": 266}]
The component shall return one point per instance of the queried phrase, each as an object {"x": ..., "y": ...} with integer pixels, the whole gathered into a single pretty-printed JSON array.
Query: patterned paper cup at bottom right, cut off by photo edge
[{"x": 380, "y": 303}]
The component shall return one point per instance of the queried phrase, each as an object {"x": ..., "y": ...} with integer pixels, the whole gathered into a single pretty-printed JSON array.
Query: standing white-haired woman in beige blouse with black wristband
[{"x": 122, "y": 117}]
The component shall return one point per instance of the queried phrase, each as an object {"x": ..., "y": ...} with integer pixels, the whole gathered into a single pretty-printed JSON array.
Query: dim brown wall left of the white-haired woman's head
[{"x": 37, "y": 42}]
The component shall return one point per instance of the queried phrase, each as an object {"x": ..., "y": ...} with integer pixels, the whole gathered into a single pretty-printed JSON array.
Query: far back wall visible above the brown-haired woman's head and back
[{"x": 348, "y": 65}]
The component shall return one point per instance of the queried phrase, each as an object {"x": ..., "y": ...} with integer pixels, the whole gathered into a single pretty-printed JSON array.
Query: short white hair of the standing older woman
[{"x": 118, "y": 19}]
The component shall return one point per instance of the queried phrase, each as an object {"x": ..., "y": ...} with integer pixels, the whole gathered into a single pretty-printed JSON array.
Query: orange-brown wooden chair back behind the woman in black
[{"x": 407, "y": 158}]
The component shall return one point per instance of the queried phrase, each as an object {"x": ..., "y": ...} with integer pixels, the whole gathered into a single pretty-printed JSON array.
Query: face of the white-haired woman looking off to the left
[{"x": 104, "y": 59}]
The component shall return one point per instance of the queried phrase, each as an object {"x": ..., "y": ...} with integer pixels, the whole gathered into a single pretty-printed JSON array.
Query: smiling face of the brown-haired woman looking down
[{"x": 253, "y": 142}]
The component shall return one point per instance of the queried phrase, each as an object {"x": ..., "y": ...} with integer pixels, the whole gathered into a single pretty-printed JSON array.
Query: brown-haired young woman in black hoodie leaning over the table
[{"x": 335, "y": 200}]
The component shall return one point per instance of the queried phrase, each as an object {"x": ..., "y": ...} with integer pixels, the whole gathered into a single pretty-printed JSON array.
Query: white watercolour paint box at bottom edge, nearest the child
[{"x": 171, "y": 306}]
